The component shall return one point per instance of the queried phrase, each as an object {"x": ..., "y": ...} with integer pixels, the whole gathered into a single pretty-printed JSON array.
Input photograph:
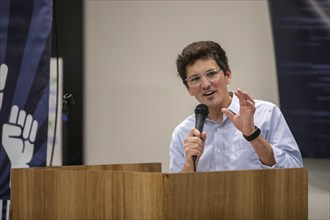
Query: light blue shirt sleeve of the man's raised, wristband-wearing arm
[{"x": 285, "y": 148}]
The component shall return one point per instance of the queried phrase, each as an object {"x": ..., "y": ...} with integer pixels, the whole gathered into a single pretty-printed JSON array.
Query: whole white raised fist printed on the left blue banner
[{"x": 18, "y": 137}]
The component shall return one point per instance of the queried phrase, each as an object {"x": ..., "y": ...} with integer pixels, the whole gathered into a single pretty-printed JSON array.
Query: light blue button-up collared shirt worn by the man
[{"x": 225, "y": 147}]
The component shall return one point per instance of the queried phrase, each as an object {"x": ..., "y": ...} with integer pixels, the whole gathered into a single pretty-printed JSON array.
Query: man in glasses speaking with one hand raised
[{"x": 239, "y": 132}]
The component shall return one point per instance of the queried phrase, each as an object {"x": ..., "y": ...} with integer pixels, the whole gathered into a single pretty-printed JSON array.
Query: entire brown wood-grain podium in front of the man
[{"x": 141, "y": 191}]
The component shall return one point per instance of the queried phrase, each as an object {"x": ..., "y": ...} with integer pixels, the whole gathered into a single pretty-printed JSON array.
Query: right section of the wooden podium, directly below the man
[{"x": 255, "y": 194}]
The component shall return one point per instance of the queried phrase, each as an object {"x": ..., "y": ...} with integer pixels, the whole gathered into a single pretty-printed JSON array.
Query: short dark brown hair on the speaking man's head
[{"x": 200, "y": 50}]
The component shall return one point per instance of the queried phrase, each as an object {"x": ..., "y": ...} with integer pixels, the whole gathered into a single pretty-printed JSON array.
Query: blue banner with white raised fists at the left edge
[{"x": 25, "y": 43}]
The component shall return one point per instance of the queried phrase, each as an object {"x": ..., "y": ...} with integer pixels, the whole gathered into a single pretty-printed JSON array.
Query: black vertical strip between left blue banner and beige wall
[{"x": 68, "y": 18}]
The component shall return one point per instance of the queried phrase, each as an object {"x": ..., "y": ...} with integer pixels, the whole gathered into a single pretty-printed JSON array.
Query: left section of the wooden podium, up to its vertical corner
[{"x": 85, "y": 192}]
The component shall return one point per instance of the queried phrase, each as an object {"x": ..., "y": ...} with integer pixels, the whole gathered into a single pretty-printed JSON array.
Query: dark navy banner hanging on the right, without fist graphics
[{"x": 302, "y": 45}]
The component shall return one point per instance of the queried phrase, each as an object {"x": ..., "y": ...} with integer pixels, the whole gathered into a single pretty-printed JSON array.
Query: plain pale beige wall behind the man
[{"x": 134, "y": 98}]
